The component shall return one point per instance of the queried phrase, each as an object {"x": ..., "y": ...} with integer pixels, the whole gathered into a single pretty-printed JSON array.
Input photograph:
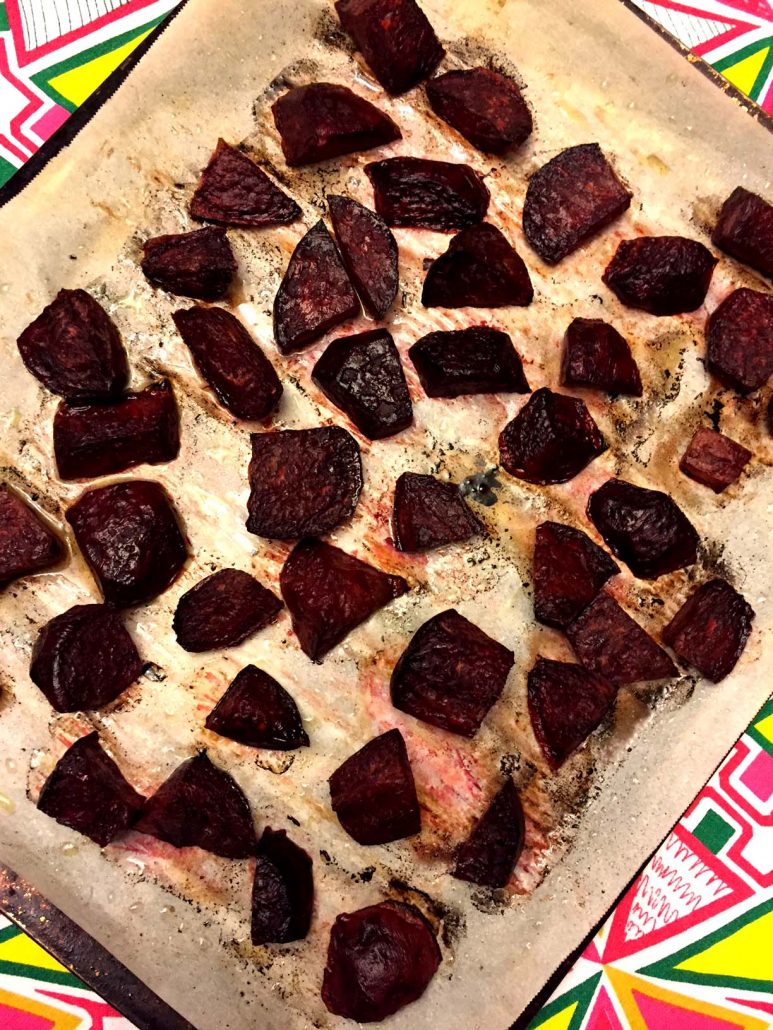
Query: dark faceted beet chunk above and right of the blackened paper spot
[{"x": 551, "y": 440}]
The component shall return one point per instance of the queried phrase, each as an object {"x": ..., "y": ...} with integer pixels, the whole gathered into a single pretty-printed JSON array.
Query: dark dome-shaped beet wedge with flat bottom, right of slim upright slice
[{"x": 480, "y": 269}]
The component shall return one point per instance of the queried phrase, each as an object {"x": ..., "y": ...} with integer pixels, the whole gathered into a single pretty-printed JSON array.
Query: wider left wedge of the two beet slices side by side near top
[{"x": 315, "y": 295}]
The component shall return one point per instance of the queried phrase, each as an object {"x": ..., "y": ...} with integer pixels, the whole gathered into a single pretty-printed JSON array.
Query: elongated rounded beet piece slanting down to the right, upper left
[{"x": 244, "y": 380}]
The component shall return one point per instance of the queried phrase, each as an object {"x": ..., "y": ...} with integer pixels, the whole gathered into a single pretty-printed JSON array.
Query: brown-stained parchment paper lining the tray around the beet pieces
[{"x": 180, "y": 920}]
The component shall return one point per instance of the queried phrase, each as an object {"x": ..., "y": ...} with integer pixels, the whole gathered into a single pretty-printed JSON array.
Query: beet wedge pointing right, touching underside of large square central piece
[{"x": 329, "y": 593}]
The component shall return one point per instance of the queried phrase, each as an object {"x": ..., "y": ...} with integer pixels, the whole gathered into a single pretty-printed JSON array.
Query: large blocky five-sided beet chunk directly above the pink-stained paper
[{"x": 451, "y": 674}]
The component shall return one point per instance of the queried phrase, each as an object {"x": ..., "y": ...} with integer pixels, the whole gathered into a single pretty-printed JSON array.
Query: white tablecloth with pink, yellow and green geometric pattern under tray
[{"x": 690, "y": 947}]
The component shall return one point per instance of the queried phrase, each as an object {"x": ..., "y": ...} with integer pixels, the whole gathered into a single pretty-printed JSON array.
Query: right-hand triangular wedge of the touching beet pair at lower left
[{"x": 200, "y": 806}]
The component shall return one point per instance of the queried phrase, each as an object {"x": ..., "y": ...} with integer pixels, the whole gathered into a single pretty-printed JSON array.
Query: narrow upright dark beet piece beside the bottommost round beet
[{"x": 283, "y": 890}]
